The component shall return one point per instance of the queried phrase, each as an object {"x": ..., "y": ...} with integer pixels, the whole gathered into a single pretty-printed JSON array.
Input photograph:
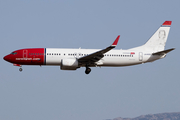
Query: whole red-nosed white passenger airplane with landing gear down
[{"x": 72, "y": 59}]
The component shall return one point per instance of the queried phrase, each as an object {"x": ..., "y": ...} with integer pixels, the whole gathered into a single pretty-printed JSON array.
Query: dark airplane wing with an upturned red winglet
[{"x": 94, "y": 57}]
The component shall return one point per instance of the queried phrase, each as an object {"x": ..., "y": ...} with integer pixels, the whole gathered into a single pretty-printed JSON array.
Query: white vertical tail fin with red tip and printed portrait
[{"x": 158, "y": 40}]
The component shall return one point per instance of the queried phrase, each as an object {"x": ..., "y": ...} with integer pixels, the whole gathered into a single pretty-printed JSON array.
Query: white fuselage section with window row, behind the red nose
[{"x": 111, "y": 58}]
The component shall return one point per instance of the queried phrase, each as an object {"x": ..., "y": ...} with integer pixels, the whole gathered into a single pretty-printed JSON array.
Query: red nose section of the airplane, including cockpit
[{"x": 30, "y": 56}]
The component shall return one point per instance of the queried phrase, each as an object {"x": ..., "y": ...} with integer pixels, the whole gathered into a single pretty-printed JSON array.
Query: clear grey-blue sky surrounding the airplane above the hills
[{"x": 48, "y": 93}]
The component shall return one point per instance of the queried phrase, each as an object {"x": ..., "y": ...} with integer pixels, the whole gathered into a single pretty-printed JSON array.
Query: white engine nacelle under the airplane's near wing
[{"x": 69, "y": 64}]
